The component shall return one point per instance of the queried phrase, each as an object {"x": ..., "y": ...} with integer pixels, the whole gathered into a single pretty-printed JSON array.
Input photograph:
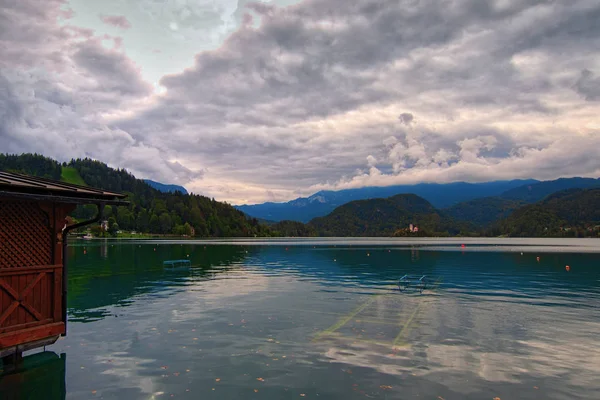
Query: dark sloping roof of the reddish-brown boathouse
[{"x": 19, "y": 185}]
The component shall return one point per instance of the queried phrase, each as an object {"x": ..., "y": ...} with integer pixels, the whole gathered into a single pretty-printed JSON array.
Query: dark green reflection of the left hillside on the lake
[{"x": 103, "y": 274}]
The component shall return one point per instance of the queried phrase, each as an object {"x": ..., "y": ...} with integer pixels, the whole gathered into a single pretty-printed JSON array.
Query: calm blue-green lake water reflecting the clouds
[{"x": 308, "y": 318}]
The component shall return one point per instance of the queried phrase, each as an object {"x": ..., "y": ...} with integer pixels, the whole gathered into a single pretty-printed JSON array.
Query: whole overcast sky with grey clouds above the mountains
[{"x": 267, "y": 101}]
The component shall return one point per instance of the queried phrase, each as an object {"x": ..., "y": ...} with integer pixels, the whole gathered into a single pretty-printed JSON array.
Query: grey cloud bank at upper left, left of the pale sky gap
[{"x": 58, "y": 82}]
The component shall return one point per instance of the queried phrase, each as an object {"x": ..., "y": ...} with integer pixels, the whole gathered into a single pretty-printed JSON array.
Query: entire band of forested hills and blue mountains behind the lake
[{"x": 562, "y": 207}]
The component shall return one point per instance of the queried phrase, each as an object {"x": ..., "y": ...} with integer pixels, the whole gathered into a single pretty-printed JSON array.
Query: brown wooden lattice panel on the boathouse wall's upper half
[{"x": 25, "y": 235}]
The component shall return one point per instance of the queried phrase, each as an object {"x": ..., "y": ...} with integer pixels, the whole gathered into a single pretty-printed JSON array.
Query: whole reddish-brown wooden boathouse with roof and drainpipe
[{"x": 33, "y": 268}]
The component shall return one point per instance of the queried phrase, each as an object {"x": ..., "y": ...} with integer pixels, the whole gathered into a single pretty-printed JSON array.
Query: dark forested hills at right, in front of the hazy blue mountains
[{"x": 571, "y": 212}]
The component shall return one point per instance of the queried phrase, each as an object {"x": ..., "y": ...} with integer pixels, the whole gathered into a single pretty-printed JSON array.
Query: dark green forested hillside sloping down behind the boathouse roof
[{"x": 149, "y": 211}]
